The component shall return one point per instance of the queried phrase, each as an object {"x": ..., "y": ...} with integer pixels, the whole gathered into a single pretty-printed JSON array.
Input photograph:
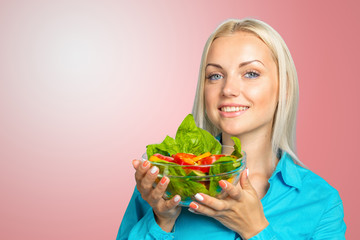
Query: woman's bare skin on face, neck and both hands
[{"x": 240, "y": 70}]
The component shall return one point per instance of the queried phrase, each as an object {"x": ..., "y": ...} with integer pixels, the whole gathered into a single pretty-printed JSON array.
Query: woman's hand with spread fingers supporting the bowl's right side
[{"x": 241, "y": 211}]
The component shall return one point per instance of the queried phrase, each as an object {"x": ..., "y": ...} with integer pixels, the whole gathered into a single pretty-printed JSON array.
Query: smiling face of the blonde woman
[{"x": 241, "y": 85}]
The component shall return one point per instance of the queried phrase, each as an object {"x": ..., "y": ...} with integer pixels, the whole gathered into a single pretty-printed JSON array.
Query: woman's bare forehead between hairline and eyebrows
[{"x": 239, "y": 47}]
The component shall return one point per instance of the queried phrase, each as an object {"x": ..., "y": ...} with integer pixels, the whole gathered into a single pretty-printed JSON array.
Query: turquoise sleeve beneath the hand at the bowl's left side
[{"x": 139, "y": 222}]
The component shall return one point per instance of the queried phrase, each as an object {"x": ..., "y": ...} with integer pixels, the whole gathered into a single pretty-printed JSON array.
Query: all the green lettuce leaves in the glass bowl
[{"x": 191, "y": 139}]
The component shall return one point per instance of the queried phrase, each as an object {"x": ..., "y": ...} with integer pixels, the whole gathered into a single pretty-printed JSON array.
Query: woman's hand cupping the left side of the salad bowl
[{"x": 165, "y": 211}]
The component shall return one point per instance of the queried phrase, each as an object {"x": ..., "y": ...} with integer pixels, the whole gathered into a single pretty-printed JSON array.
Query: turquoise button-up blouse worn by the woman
[{"x": 298, "y": 205}]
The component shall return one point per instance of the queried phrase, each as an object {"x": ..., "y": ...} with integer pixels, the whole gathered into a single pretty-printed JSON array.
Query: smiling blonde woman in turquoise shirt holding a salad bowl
[{"x": 247, "y": 88}]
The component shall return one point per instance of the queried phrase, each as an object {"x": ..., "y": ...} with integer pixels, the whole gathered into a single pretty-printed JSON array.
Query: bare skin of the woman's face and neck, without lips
[{"x": 241, "y": 70}]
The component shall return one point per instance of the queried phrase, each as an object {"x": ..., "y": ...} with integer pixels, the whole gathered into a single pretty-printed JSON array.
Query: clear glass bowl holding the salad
[{"x": 188, "y": 186}]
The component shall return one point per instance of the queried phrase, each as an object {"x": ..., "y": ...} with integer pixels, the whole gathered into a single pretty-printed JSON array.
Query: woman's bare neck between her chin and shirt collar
[{"x": 259, "y": 154}]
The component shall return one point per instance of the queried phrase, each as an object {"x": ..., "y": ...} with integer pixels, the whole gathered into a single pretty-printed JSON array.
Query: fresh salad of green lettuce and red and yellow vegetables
[{"x": 193, "y": 161}]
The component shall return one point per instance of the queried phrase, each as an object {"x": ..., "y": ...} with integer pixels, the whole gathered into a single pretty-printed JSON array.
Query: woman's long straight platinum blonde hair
[{"x": 284, "y": 125}]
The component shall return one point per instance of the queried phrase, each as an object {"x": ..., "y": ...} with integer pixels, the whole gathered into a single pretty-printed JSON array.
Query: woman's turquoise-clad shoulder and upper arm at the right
[{"x": 310, "y": 205}]
